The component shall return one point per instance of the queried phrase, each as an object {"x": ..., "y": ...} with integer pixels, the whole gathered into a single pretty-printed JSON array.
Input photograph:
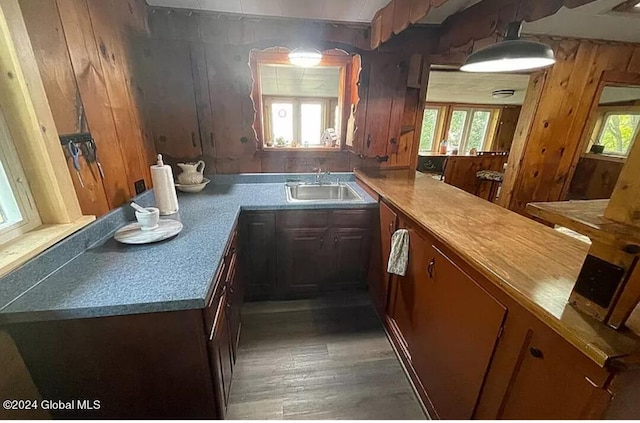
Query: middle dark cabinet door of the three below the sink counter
[{"x": 304, "y": 261}]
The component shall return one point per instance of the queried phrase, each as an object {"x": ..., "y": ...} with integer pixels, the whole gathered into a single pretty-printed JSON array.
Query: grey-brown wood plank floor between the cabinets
[{"x": 318, "y": 359}]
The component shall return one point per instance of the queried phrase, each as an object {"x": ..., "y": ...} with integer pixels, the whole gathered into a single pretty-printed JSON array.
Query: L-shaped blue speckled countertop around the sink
[{"x": 176, "y": 274}]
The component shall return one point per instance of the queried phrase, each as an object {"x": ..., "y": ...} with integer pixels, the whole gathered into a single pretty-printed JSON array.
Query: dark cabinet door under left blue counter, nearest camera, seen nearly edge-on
[{"x": 220, "y": 355}]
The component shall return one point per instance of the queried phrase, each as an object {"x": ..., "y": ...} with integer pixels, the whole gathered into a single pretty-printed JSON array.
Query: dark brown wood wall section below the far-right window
[{"x": 595, "y": 177}]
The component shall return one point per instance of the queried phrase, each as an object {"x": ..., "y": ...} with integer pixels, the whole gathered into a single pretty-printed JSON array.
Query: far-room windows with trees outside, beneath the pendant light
[{"x": 464, "y": 128}]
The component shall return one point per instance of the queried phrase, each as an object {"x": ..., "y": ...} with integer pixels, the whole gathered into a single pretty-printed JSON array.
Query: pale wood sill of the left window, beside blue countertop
[{"x": 27, "y": 246}]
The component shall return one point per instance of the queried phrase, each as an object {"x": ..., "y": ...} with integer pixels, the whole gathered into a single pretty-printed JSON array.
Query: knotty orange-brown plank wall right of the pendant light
[{"x": 546, "y": 152}]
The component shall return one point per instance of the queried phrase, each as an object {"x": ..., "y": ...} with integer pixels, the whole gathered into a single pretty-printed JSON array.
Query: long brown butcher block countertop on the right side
[{"x": 532, "y": 263}]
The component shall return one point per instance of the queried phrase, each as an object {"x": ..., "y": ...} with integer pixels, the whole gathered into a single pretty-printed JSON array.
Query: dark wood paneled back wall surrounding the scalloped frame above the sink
[{"x": 197, "y": 83}]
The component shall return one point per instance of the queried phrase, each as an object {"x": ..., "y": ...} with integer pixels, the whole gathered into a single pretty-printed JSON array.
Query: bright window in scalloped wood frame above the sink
[{"x": 303, "y": 108}]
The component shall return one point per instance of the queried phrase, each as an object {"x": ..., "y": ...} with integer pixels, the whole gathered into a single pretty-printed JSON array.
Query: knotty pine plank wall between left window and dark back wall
[{"x": 83, "y": 52}]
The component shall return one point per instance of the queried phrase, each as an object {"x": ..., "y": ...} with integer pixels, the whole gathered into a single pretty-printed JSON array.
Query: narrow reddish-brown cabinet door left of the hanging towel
[{"x": 378, "y": 287}]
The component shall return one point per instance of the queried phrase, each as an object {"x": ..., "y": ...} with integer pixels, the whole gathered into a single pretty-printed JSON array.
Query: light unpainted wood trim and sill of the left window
[{"x": 36, "y": 142}]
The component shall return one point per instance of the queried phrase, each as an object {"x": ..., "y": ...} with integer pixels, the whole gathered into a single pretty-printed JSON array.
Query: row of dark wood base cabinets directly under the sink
[{"x": 301, "y": 253}]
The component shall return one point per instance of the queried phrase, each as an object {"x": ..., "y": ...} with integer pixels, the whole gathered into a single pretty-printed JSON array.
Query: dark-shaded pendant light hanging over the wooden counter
[{"x": 511, "y": 54}]
